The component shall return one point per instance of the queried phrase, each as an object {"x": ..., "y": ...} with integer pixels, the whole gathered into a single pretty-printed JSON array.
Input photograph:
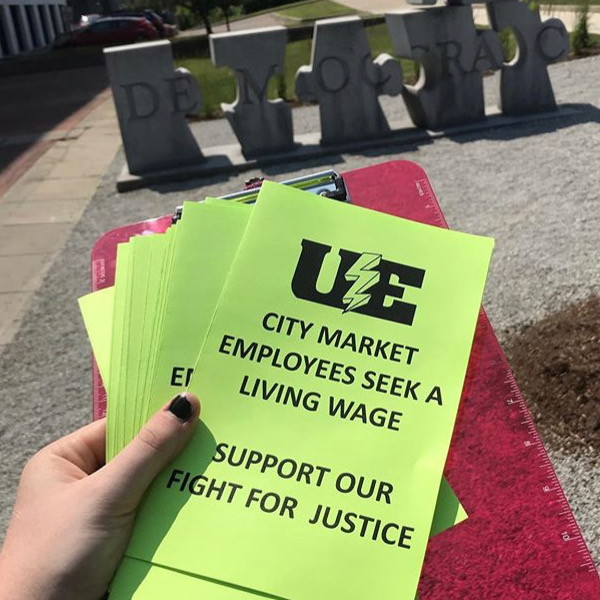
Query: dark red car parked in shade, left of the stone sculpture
[{"x": 110, "y": 31}]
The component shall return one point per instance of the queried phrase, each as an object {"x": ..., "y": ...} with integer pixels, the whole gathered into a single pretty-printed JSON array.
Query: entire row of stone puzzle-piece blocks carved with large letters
[{"x": 152, "y": 98}]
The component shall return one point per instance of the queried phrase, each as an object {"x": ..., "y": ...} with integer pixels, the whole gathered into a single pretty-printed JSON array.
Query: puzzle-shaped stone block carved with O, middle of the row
[{"x": 346, "y": 82}]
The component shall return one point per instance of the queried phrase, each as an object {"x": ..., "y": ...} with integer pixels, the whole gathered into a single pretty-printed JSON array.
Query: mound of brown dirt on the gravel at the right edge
[{"x": 557, "y": 366}]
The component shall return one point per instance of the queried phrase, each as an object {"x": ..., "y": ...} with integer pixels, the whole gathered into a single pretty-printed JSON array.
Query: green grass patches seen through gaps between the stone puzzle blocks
[{"x": 218, "y": 85}]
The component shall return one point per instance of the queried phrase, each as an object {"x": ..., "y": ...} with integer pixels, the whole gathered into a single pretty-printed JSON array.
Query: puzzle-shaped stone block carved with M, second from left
[{"x": 262, "y": 126}]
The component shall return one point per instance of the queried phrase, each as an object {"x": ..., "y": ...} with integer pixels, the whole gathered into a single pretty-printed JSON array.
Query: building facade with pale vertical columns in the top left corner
[{"x": 29, "y": 24}]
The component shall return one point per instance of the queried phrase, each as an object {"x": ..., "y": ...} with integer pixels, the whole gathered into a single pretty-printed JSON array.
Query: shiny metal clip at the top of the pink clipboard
[{"x": 324, "y": 183}]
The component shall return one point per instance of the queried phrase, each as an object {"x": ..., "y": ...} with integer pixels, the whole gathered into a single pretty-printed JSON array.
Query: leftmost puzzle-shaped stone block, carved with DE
[{"x": 152, "y": 99}]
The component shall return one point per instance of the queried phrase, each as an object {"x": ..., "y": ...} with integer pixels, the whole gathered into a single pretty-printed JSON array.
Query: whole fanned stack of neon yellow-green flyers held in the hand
[{"x": 328, "y": 344}]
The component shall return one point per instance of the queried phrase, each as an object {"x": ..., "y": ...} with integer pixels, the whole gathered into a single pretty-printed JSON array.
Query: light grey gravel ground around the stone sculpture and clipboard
[{"x": 533, "y": 187}]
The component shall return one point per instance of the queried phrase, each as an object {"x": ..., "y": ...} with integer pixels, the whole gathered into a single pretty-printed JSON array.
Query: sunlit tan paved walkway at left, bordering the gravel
[{"x": 38, "y": 212}]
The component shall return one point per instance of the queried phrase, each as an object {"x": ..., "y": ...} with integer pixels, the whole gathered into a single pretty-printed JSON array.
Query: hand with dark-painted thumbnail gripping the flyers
[{"x": 73, "y": 514}]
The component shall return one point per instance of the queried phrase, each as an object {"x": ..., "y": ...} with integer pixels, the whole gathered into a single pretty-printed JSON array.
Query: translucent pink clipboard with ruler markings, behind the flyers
[{"x": 521, "y": 541}]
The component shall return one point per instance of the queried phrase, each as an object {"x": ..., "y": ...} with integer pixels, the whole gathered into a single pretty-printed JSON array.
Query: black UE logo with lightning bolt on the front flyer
[{"x": 363, "y": 282}]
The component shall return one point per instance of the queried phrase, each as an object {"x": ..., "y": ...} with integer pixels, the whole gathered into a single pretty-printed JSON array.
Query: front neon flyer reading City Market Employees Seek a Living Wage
[{"x": 336, "y": 359}]
